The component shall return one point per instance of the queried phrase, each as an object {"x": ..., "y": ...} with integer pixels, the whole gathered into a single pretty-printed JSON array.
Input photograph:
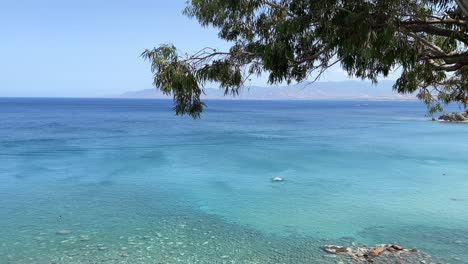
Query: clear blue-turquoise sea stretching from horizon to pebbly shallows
[{"x": 135, "y": 184}]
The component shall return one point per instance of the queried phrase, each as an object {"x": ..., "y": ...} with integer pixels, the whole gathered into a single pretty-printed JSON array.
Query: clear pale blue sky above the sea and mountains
[{"x": 91, "y": 48}]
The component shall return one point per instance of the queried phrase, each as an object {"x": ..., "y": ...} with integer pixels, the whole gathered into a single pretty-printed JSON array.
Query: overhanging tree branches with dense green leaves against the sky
[{"x": 296, "y": 40}]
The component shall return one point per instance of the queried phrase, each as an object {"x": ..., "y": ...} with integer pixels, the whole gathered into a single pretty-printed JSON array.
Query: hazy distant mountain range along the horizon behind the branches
[{"x": 302, "y": 91}]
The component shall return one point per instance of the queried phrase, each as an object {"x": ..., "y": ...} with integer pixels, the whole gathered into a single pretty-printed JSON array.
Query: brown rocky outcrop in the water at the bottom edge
[{"x": 384, "y": 253}]
